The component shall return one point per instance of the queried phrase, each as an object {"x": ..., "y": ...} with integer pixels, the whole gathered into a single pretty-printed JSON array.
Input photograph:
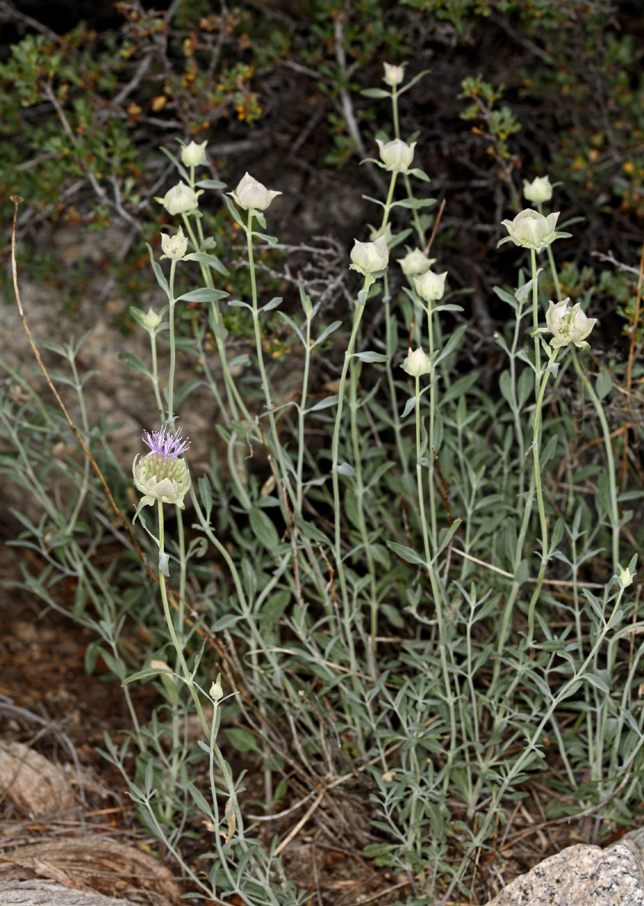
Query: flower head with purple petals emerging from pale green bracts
[{"x": 163, "y": 474}]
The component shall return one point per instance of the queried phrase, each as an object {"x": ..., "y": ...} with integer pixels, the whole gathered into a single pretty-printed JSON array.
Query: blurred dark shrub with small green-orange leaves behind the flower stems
[{"x": 83, "y": 116}]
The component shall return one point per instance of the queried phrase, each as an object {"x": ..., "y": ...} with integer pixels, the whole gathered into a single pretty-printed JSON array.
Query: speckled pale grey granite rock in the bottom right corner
[{"x": 581, "y": 875}]
